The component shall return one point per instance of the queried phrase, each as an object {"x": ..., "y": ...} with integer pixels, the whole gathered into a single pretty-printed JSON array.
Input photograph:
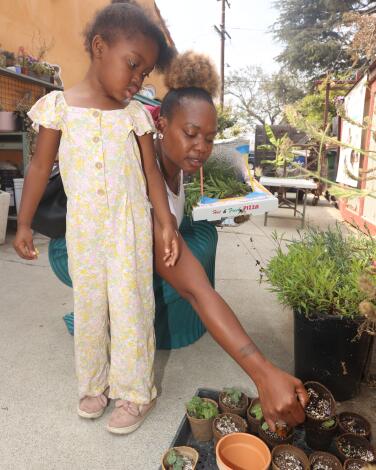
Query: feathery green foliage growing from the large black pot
[{"x": 318, "y": 273}]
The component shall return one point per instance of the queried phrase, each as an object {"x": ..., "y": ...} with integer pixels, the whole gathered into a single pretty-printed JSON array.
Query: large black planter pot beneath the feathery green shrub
[{"x": 325, "y": 351}]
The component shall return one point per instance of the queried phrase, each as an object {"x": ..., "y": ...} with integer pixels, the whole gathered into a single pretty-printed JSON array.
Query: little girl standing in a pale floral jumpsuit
[{"x": 109, "y": 237}]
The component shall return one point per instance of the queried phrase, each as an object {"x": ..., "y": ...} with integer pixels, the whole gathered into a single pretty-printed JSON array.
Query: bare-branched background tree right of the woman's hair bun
[{"x": 259, "y": 97}]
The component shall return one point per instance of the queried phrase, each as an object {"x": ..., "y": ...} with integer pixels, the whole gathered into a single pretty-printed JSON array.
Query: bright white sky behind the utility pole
[{"x": 191, "y": 24}]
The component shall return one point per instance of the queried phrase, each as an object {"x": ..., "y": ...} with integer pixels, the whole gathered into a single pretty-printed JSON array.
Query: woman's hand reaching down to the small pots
[{"x": 282, "y": 397}]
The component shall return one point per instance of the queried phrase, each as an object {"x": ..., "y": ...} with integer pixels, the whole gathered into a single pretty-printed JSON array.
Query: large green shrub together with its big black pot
[{"x": 317, "y": 275}]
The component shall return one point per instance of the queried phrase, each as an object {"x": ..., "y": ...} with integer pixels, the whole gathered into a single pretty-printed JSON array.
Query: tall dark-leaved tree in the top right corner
[{"x": 315, "y": 37}]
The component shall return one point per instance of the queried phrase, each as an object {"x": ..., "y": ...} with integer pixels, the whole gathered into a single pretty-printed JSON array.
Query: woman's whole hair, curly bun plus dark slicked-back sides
[{"x": 191, "y": 75}]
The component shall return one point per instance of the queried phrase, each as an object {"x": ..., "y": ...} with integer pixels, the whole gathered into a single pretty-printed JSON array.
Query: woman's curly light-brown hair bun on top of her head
[{"x": 192, "y": 70}]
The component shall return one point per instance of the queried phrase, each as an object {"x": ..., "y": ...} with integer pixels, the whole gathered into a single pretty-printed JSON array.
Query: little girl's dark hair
[{"x": 127, "y": 18}]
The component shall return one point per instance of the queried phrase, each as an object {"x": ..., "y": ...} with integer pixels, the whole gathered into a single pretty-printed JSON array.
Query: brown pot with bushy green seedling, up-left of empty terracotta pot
[{"x": 201, "y": 413}]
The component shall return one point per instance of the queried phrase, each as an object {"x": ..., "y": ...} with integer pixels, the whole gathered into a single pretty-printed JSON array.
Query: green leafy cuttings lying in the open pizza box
[{"x": 220, "y": 181}]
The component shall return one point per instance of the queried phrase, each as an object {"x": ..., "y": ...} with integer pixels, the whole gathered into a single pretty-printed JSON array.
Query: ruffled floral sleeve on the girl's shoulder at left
[{"x": 47, "y": 112}]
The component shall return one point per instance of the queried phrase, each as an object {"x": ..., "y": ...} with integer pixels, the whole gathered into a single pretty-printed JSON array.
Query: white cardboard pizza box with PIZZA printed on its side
[{"x": 255, "y": 203}]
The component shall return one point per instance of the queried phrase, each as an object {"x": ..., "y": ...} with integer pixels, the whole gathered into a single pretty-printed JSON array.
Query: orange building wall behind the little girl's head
[{"x": 59, "y": 24}]
